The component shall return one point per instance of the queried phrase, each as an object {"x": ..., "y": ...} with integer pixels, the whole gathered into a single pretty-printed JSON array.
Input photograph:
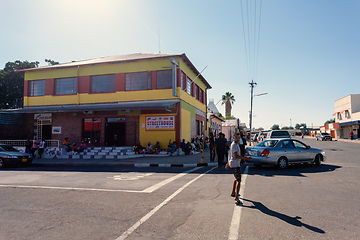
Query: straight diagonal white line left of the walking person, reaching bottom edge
[{"x": 152, "y": 212}]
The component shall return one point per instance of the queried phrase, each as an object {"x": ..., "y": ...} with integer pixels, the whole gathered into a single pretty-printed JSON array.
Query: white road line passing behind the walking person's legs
[{"x": 235, "y": 222}]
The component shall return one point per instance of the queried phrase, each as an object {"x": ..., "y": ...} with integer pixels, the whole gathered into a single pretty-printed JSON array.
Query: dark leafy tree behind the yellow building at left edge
[{"x": 12, "y": 84}]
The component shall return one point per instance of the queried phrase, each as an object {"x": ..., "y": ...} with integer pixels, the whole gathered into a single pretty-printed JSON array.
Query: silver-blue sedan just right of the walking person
[{"x": 282, "y": 152}]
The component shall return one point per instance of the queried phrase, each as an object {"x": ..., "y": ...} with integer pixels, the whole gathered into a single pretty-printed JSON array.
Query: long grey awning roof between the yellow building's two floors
[{"x": 139, "y": 105}]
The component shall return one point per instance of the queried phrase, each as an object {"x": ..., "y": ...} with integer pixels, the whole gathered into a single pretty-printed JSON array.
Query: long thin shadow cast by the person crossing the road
[{"x": 291, "y": 220}]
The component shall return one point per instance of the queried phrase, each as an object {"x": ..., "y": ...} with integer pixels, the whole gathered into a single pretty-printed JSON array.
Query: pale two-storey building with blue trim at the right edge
[{"x": 347, "y": 116}]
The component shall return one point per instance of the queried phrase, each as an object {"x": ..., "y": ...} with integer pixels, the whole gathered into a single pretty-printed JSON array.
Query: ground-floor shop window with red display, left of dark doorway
[{"x": 91, "y": 130}]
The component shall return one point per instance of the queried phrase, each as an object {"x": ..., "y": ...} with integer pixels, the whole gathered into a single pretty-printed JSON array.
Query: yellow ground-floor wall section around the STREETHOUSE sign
[{"x": 154, "y": 135}]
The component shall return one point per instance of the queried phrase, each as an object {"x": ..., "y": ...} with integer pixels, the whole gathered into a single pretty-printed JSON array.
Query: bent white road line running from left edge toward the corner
[{"x": 147, "y": 190}]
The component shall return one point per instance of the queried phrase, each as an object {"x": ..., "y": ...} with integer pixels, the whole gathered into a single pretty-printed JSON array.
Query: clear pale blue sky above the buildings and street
[{"x": 304, "y": 54}]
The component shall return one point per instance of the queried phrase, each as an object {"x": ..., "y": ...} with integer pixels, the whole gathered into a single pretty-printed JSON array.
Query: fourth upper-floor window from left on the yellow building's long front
[{"x": 138, "y": 81}]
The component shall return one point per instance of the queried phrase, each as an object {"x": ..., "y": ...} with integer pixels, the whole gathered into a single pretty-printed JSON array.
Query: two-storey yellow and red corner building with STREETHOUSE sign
[{"x": 118, "y": 101}]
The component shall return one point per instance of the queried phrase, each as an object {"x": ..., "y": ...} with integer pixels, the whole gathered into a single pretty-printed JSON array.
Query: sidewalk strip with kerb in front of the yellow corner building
[{"x": 138, "y": 161}]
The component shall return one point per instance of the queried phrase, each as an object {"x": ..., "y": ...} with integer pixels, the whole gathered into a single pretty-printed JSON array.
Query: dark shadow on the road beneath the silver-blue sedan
[{"x": 293, "y": 170}]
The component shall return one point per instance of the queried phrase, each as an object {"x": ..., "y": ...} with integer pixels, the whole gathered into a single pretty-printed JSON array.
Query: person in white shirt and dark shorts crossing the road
[{"x": 234, "y": 164}]
